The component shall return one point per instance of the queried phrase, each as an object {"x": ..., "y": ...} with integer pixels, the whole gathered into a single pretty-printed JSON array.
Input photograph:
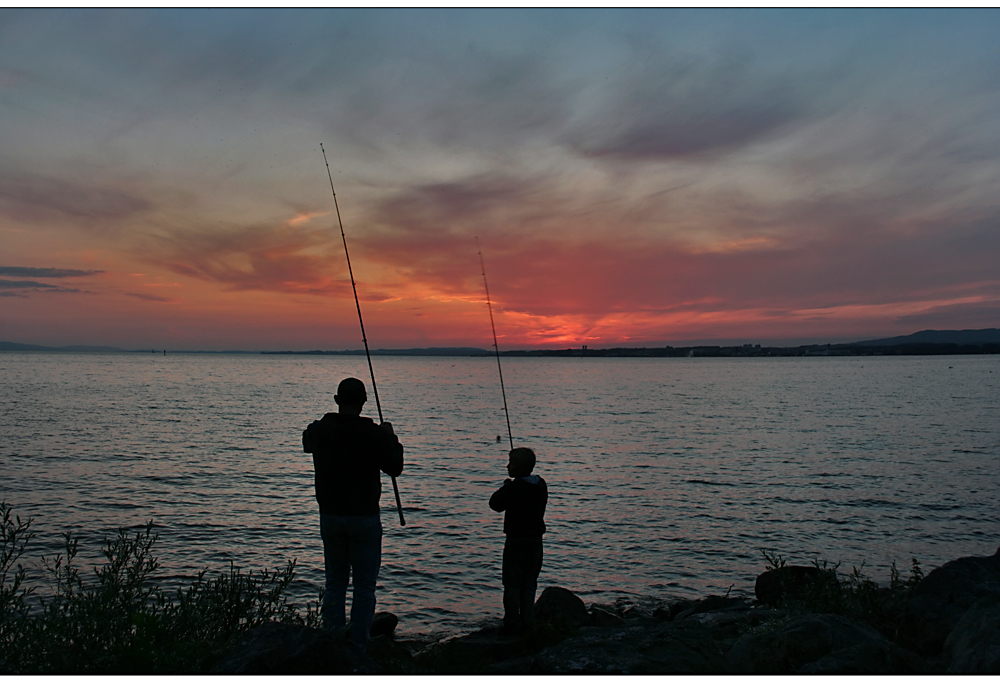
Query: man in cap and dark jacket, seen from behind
[{"x": 349, "y": 451}]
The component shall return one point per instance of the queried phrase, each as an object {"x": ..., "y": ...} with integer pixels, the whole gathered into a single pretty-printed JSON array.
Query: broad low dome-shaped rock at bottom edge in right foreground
[{"x": 826, "y": 641}]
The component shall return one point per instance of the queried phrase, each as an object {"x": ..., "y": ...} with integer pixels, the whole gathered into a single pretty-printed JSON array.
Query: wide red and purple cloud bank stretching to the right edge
[{"x": 815, "y": 253}]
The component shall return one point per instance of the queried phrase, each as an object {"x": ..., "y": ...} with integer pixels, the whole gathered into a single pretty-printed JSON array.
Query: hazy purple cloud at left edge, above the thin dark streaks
[{"x": 29, "y": 198}]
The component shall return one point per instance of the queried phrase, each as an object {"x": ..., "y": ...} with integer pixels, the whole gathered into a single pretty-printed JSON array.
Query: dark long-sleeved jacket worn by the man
[{"x": 349, "y": 451}]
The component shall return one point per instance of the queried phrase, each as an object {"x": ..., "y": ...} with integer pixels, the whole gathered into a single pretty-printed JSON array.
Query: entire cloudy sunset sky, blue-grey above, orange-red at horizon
[{"x": 633, "y": 176}]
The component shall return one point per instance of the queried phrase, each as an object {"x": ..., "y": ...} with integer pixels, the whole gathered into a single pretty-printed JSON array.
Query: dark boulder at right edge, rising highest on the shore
[{"x": 940, "y": 600}]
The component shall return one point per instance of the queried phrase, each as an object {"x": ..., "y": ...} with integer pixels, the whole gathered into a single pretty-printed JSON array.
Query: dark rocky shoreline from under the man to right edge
[{"x": 803, "y": 620}]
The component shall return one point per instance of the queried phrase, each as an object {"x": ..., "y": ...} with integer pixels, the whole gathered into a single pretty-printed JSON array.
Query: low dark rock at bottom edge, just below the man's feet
[{"x": 275, "y": 648}]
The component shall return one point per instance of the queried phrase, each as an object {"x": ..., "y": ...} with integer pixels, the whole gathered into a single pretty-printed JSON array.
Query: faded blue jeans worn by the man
[{"x": 351, "y": 545}]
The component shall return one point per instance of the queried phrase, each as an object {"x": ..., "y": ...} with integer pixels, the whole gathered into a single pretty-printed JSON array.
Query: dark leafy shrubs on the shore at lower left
[{"x": 118, "y": 621}]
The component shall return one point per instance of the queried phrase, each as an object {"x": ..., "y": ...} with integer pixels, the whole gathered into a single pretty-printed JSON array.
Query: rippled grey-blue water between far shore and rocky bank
[{"x": 666, "y": 476}]
